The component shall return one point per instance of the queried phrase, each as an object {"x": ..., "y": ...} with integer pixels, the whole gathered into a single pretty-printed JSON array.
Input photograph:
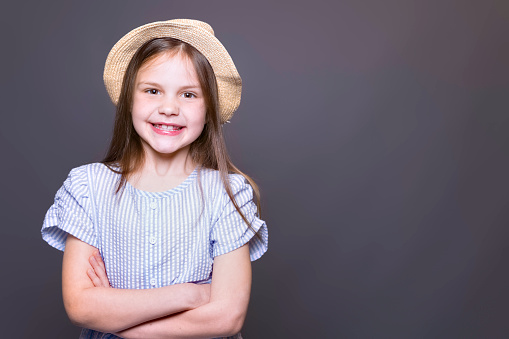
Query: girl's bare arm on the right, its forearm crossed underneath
[{"x": 225, "y": 313}]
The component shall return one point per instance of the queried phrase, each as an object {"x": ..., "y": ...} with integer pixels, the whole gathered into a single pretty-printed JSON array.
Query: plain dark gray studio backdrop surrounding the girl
[{"x": 377, "y": 130}]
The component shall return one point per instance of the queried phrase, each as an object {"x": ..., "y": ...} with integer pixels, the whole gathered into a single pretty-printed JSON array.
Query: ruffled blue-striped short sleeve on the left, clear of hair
[{"x": 71, "y": 212}]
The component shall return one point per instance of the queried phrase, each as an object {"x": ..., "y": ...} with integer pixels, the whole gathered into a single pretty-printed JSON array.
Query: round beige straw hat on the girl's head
[{"x": 196, "y": 33}]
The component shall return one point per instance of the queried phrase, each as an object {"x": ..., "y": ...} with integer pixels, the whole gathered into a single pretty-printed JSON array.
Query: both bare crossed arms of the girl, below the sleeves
[{"x": 177, "y": 311}]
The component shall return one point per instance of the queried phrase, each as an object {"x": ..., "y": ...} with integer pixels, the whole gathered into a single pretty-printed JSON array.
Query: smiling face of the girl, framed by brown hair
[{"x": 168, "y": 105}]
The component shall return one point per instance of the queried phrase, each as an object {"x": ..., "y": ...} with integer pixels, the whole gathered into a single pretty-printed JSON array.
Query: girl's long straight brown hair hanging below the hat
[{"x": 125, "y": 154}]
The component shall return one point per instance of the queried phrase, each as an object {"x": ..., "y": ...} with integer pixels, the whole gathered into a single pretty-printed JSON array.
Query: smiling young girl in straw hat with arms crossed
[{"x": 158, "y": 238}]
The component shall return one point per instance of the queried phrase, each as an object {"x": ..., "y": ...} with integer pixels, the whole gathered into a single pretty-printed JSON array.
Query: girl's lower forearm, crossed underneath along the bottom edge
[{"x": 215, "y": 319}]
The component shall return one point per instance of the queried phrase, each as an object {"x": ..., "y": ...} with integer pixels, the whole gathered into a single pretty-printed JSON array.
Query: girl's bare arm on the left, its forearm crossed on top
[{"x": 111, "y": 310}]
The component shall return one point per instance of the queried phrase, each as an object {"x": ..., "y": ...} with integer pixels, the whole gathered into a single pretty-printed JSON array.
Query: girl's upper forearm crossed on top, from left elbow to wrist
[{"x": 112, "y": 310}]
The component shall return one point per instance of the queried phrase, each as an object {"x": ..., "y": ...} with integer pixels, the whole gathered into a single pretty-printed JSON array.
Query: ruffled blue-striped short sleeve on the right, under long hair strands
[{"x": 229, "y": 231}]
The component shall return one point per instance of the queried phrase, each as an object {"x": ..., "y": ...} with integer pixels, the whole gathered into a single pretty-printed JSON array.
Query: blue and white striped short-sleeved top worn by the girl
[{"x": 150, "y": 240}]
